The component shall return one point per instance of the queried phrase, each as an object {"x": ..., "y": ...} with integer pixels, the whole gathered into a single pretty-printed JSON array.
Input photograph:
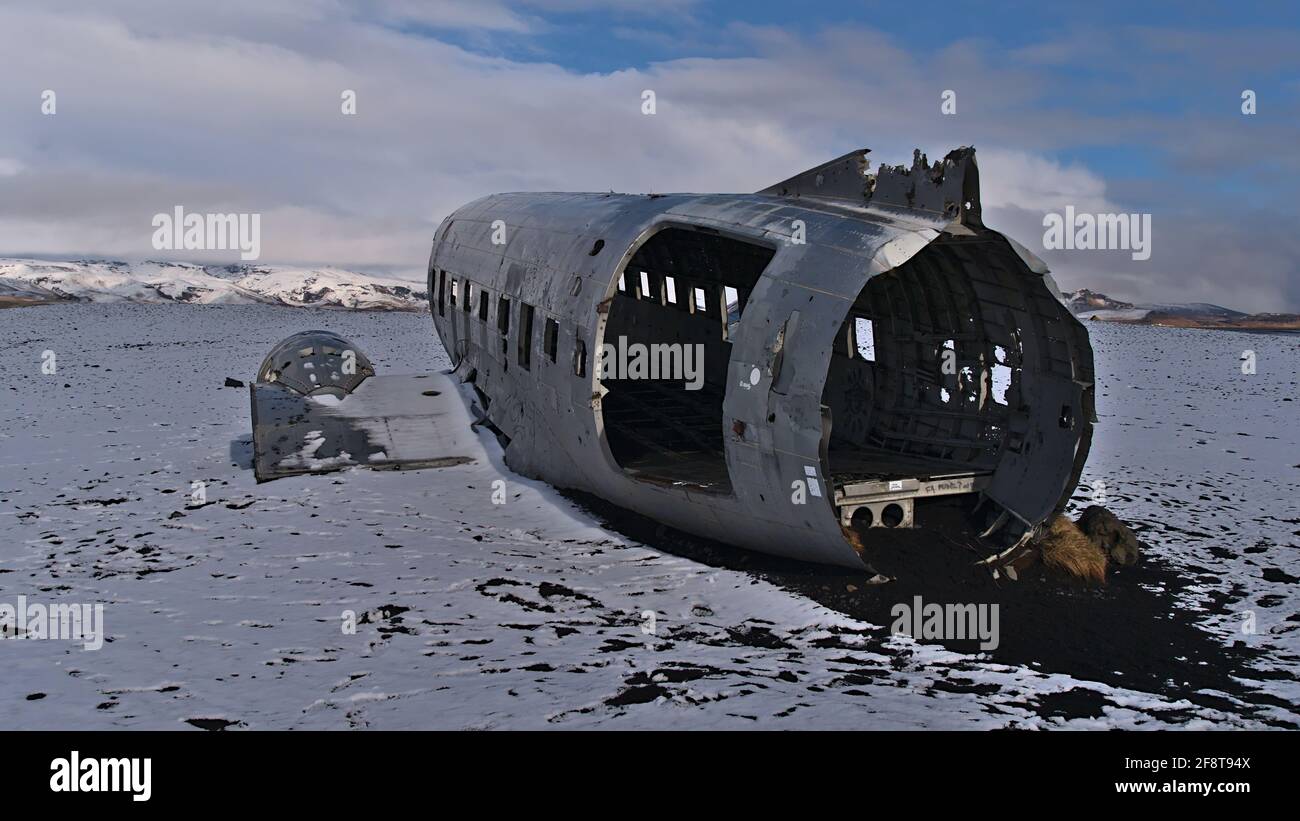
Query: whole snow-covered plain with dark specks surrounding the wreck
[{"x": 530, "y": 614}]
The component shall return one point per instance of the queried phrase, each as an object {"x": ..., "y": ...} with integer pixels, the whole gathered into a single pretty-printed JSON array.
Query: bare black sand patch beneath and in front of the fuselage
[{"x": 1132, "y": 633}]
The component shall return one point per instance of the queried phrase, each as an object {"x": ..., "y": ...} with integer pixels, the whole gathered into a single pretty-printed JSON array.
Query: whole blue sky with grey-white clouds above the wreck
[{"x": 236, "y": 107}]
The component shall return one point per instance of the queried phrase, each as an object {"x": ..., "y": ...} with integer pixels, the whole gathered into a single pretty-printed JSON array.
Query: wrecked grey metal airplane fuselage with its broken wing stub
[{"x": 869, "y": 353}]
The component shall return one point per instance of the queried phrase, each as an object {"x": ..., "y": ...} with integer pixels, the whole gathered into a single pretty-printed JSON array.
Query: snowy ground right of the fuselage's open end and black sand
[{"x": 1207, "y": 462}]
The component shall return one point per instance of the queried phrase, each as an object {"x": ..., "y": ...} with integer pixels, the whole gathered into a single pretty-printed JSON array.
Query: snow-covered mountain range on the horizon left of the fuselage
[{"x": 211, "y": 285}]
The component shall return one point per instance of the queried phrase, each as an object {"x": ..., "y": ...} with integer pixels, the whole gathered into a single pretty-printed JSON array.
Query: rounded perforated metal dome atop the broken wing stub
[{"x": 317, "y": 363}]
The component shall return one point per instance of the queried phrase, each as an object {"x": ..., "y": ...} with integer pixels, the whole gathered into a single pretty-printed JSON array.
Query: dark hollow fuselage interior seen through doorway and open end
[{"x": 924, "y": 393}]
